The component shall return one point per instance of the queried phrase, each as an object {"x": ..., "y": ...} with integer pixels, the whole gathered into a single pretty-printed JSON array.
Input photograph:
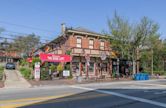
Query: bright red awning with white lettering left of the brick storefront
[{"x": 55, "y": 57}]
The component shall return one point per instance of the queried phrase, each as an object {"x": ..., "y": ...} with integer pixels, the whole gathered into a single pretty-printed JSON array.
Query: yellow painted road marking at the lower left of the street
[{"x": 28, "y": 101}]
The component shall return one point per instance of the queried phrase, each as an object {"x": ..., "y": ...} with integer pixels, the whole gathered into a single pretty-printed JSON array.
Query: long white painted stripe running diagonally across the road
[{"x": 124, "y": 96}]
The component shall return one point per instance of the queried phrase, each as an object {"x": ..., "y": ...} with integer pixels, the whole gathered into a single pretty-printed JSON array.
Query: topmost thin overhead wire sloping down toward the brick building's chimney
[{"x": 24, "y": 26}]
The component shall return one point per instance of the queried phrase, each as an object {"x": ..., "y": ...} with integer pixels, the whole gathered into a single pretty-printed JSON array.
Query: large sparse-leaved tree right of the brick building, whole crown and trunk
[{"x": 129, "y": 38}]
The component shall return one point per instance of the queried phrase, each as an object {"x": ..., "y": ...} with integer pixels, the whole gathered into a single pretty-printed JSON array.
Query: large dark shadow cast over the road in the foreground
[{"x": 94, "y": 99}]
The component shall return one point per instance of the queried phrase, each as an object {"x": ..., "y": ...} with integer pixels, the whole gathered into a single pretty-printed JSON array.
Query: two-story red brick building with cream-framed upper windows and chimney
[{"x": 90, "y": 51}]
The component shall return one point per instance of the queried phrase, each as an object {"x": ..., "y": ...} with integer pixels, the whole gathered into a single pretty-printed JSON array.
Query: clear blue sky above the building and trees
[{"x": 91, "y": 14}]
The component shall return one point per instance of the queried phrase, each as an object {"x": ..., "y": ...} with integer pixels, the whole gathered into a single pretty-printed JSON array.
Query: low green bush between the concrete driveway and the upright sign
[{"x": 26, "y": 72}]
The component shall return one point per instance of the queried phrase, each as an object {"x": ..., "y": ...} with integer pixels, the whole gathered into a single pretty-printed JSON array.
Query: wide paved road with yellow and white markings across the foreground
[{"x": 126, "y": 94}]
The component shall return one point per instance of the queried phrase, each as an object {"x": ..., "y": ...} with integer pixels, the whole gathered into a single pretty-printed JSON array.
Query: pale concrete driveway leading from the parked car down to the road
[{"x": 15, "y": 80}]
